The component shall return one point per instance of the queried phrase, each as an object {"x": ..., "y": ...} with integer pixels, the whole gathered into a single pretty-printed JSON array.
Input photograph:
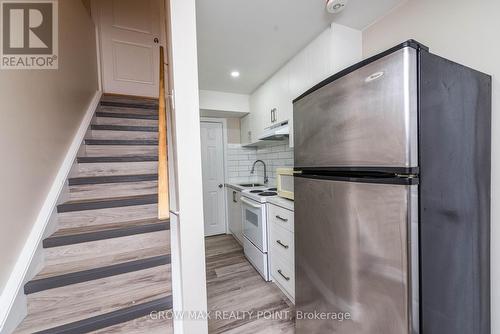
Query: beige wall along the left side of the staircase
[{"x": 41, "y": 111}]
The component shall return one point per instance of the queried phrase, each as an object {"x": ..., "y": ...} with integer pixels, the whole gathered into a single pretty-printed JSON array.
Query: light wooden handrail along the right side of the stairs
[{"x": 163, "y": 200}]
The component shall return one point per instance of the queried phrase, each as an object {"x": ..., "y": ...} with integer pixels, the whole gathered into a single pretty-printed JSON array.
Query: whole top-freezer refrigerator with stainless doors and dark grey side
[{"x": 392, "y": 198}]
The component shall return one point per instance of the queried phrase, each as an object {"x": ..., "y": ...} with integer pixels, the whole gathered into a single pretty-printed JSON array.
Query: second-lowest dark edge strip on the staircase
[{"x": 43, "y": 284}]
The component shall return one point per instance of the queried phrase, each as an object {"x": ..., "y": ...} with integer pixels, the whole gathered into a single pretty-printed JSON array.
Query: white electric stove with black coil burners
[{"x": 255, "y": 229}]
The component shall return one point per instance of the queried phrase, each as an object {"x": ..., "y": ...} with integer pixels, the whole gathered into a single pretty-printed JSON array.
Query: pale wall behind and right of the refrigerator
[{"x": 466, "y": 32}]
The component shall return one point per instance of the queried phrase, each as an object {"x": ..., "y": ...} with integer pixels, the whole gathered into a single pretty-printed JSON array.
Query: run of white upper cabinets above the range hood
[{"x": 335, "y": 49}]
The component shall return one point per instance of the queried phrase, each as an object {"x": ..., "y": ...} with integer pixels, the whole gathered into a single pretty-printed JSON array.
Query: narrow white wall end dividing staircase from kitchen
[{"x": 188, "y": 245}]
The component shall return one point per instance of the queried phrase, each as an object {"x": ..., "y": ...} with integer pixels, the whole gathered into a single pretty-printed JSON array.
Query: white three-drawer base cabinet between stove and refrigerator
[{"x": 281, "y": 249}]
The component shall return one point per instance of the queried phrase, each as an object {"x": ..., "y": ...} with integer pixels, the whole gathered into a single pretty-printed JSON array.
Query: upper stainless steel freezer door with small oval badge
[{"x": 367, "y": 118}]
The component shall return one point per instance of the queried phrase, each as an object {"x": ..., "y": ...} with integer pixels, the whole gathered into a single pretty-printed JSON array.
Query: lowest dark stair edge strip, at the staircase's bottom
[{"x": 112, "y": 318}]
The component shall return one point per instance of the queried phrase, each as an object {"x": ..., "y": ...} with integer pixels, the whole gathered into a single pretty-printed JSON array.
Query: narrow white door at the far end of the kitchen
[{"x": 212, "y": 159}]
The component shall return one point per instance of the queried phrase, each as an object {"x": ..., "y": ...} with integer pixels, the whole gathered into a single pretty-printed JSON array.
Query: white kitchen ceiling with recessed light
[{"x": 257, "y": 37}]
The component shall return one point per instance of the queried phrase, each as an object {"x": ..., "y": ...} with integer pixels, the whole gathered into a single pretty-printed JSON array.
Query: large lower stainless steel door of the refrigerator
[{"x": 356, "y": 248}]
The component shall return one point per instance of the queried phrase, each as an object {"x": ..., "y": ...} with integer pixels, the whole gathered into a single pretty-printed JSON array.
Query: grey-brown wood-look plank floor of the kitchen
[{"x": 233, "y": 285}]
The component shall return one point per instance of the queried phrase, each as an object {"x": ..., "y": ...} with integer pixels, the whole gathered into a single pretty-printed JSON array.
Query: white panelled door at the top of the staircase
[{"x": 130, "y": 38}]
